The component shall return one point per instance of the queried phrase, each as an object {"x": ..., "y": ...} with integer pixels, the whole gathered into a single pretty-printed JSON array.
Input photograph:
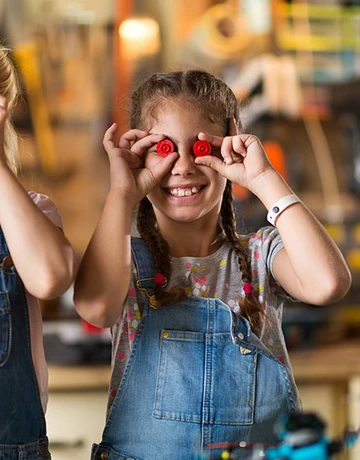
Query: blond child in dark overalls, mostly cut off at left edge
[{"x": 36, "y": 261}]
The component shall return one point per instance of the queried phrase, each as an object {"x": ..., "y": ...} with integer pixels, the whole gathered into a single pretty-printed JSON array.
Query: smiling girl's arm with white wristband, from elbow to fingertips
[{"x": 311, "y": 268}]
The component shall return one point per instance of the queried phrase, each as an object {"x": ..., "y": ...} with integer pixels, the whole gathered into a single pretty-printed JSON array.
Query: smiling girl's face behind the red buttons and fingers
[{"x": 189, "y": 192}]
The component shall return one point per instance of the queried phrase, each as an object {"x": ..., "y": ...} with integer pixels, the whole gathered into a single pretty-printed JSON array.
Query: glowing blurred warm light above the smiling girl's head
[{"x": 140, "y": 37}]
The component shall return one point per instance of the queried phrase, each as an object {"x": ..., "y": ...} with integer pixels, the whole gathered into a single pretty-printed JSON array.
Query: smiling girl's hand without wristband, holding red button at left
[{"x": 128, "y": 175}]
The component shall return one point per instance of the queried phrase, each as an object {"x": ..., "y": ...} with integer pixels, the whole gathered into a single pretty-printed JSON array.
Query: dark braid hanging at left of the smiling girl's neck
[{"x": 159, "y": 249}]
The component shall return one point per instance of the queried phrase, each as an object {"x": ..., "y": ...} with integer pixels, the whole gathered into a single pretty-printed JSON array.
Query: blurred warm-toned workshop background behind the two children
[{"x": 295, "y": 67}]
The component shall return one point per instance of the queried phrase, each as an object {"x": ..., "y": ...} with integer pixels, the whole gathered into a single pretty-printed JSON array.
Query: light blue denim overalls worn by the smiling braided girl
[{"x": 196, "y": 375}]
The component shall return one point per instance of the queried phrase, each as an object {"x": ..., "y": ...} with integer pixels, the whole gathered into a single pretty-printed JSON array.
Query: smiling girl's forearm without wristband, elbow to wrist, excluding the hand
[{"x": 103, "y": 278}]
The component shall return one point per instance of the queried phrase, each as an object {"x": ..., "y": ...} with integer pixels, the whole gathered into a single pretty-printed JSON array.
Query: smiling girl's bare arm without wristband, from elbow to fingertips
[{"x": 103, "y": 279}]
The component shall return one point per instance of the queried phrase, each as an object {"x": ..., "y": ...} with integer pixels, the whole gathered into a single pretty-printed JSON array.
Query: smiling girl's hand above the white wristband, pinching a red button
[{"x": 243, "y": 161}]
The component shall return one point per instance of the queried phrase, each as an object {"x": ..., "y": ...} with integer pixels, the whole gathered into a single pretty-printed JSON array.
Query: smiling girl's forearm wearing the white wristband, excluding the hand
[{"x": 310, "y": 267}]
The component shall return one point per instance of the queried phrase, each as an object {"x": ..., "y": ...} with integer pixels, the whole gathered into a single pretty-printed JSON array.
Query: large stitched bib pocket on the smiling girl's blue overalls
[{"x": 204, "y": 378}]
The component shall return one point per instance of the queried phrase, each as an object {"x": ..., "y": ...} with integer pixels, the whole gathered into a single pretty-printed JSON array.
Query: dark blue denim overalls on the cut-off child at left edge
[{"x": 22, "y": 422}]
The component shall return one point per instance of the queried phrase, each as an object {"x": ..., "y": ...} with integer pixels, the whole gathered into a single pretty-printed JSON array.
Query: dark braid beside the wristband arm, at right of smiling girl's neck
[{"x": 249, "y": 306}]
